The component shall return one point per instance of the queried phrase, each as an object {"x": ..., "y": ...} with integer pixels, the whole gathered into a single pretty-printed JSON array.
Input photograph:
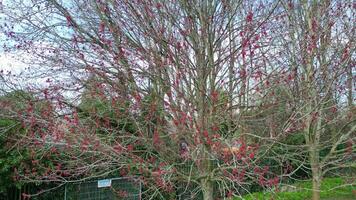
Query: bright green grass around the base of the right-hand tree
[{"x": 330, "y": 190}]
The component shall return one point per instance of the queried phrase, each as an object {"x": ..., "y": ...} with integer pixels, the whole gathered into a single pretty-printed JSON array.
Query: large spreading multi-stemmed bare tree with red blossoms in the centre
[{"x": 176, "y": 60}]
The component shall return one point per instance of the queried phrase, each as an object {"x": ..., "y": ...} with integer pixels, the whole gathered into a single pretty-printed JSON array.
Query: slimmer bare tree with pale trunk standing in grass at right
[{"x": 318, "y": 48}]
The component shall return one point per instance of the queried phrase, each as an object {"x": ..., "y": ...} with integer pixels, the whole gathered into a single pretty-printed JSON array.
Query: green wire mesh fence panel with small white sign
[{"x": 107, "y": 189}]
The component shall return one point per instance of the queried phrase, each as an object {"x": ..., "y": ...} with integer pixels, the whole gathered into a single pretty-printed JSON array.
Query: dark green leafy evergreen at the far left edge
[{"x": 12, "y": 158}]
